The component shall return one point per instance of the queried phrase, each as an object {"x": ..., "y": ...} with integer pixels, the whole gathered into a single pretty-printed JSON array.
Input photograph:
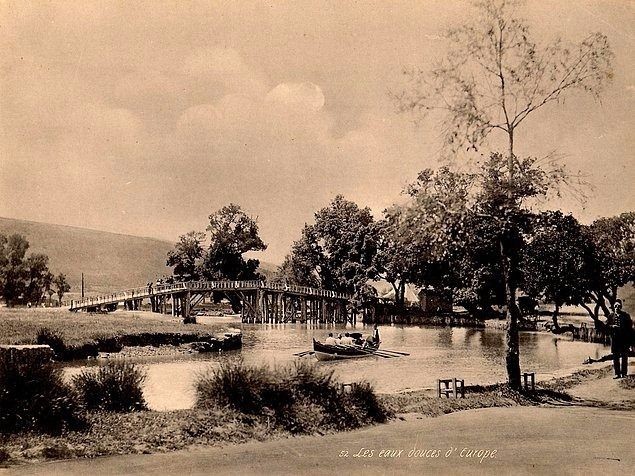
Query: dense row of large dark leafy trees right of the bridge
[{"x": 447, "y": 237}]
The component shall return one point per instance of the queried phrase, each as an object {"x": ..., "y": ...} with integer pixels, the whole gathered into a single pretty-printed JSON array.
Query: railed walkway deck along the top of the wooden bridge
[{"x": 201, "y": 287}]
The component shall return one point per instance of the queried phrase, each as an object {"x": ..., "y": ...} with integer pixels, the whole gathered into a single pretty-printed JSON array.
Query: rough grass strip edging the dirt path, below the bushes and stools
[{"x": 152, "y": 432}]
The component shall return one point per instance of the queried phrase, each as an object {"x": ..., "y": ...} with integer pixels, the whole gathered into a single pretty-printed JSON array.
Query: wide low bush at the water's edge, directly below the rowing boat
[{"x": 300, "y": 398}]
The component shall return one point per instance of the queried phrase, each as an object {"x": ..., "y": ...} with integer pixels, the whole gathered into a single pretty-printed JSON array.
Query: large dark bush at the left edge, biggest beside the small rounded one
[{"x": 34, "y": 396}]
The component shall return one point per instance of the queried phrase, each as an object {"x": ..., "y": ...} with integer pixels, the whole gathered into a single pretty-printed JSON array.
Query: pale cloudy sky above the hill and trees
[{"x": 145, "y": 117}]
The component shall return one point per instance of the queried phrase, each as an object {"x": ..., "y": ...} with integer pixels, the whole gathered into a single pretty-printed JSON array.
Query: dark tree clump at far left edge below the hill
[{"x": 27, "y": 279}]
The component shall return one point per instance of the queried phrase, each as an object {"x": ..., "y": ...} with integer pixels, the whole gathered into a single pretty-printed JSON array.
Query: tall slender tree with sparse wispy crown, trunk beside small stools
[{"x": 493, "y": 77}]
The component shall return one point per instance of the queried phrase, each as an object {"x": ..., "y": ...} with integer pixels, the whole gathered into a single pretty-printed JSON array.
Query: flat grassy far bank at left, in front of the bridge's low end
[{"x": 82, "y": 335}]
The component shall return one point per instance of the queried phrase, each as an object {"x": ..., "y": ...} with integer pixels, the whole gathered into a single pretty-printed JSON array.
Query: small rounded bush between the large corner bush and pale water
[{"x": 115, "y": 387}]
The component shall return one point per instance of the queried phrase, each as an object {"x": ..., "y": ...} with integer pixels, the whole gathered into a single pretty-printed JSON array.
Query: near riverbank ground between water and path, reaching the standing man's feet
[{"x": 159, "y": 432}]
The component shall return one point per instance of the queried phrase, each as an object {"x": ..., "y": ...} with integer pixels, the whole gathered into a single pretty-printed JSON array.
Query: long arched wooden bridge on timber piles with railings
[{"x": 261, "y": 302}]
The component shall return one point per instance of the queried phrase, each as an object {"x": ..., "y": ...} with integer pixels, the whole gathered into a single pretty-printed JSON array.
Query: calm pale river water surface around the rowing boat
[{"x": 478, "y": 356}]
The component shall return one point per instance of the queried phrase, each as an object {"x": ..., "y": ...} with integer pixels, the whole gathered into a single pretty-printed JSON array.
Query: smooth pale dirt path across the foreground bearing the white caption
[{"x": 522, "y": 440}]
